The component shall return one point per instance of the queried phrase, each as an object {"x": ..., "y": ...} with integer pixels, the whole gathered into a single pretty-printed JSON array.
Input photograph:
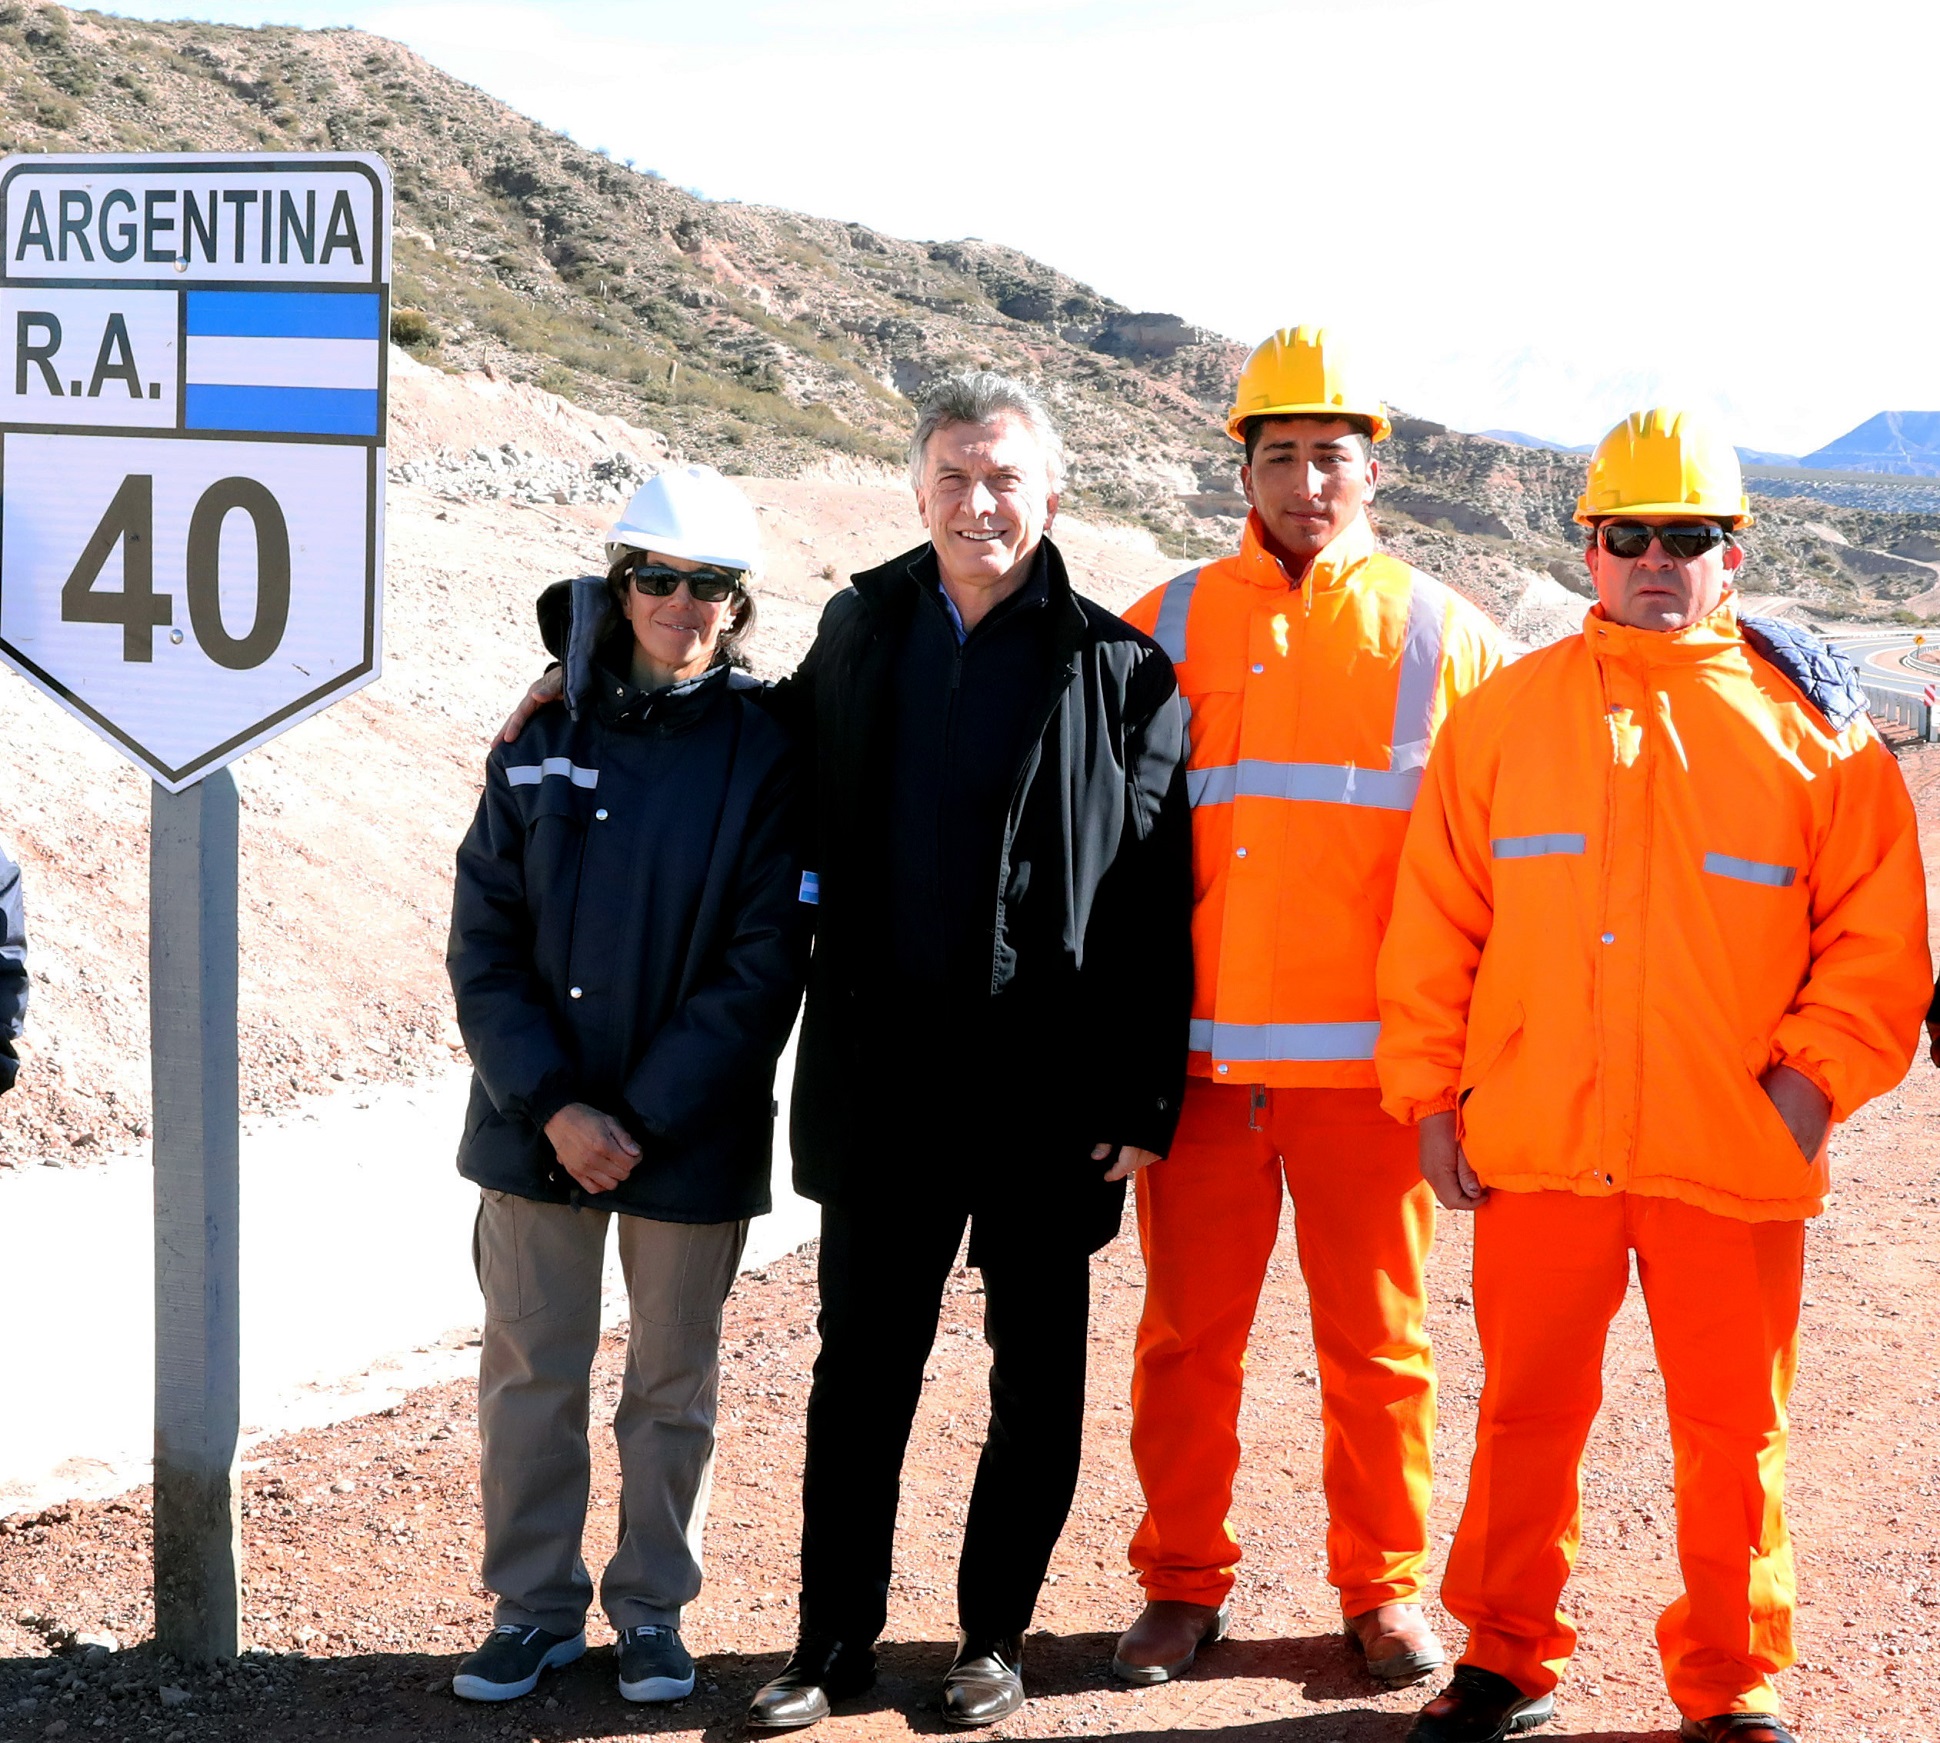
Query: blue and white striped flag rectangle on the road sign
[{"x": 282, "y": 364}]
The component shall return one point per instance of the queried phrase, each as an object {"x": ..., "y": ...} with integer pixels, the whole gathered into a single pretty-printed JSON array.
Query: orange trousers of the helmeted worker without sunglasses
[{"x": 1208, "y": 1220}]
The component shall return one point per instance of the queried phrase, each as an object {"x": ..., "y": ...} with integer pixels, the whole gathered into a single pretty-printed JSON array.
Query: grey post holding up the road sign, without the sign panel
[{"x": 193, "y": 1018}]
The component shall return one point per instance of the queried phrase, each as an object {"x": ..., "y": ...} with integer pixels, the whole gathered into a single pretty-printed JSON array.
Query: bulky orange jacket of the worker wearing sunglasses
[{"x": 1642, "y": 872}]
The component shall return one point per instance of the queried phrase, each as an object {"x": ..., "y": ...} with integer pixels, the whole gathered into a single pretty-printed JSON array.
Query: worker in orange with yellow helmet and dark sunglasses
[{"x": 1660, "y": 927}]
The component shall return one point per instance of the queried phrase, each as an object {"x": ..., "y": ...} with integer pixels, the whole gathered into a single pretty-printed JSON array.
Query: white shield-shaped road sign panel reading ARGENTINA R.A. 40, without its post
[{"x": 193, "y": 444}]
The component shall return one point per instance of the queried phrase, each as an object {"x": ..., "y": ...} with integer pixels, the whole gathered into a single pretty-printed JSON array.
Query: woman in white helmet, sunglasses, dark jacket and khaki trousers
[{"x": 628, "y": 954}]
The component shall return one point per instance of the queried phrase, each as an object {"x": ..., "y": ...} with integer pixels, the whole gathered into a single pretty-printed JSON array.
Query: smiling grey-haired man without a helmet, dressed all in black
[{"x": 996, "y": 1022}]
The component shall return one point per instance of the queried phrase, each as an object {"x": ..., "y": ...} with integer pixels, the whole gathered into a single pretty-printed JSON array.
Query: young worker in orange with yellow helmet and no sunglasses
[{"x": 1318, "y": 671}]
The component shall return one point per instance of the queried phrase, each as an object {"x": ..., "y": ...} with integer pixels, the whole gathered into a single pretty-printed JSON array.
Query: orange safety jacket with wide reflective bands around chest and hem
[{"x": 1312, "y": 711}]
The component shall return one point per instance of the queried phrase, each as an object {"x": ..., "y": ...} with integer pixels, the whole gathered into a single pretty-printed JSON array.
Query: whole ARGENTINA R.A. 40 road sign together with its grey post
[{"x": 191, "y": 562}]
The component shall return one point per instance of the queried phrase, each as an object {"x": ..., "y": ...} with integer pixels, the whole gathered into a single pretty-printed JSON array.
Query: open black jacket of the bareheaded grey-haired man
[{"x": 1082, "y": 1028}]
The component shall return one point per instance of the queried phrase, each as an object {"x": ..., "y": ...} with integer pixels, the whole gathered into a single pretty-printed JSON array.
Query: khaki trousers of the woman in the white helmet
[{"x": 540, "y": 1270}]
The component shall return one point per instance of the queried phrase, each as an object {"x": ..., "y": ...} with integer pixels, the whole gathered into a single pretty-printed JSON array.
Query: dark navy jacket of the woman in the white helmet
[{"x": 628, "y": 931}]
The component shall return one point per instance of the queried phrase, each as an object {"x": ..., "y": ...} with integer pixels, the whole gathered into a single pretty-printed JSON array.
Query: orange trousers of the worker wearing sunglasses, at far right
[{"x": 1551, "y": 1270}]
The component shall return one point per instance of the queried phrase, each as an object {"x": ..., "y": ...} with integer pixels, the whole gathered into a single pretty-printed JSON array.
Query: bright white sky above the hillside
[{"x": 1522, "y": 214}]
